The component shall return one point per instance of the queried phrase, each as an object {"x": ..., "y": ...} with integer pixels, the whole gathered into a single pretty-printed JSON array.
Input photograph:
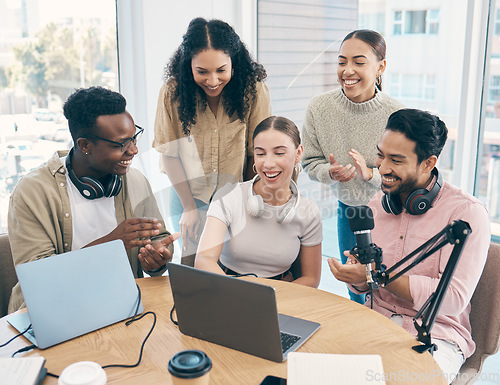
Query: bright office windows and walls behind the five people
[{"x": 443, "y": 56}]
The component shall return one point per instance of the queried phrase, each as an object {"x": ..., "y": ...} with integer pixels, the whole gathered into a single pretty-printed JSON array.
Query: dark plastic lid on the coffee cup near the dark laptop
[{"x": 189, "y": 364}]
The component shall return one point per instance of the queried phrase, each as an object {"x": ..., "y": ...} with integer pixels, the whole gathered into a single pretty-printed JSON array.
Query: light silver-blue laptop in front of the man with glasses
[{"x": 71, "y": 294}]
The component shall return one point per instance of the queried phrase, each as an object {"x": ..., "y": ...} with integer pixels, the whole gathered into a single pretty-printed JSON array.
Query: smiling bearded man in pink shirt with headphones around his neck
[{"x": 407, "y": 154}]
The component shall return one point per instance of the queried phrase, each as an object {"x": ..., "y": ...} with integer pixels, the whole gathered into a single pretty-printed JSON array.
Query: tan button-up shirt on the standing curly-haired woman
[{"x": 219, "y": 147}]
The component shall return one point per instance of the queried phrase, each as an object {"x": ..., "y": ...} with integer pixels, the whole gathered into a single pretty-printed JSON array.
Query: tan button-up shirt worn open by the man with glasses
[{"x": 41, "y": 221}]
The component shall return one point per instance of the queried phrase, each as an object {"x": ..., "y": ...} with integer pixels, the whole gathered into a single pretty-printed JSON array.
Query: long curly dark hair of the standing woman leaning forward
[{"x": 218, "y": 35}]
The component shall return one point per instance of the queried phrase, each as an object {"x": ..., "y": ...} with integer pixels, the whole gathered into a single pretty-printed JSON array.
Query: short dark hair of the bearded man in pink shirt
[{"x": 425, "y": 129}]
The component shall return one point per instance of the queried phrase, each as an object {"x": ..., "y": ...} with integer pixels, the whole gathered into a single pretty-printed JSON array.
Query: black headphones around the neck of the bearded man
[{"x": 417, "y": 203}]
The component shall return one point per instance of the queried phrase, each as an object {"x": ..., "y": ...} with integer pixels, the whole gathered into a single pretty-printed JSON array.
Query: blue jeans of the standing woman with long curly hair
[{"x": 176, "y": 211}]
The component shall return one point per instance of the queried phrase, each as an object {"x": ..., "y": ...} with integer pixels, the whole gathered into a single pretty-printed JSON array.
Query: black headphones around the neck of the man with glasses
[{"x": 91, "y": 188}]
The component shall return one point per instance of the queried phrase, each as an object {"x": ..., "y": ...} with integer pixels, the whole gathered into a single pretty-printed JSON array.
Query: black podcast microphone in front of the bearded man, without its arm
[{"x": 361, "y": 223}]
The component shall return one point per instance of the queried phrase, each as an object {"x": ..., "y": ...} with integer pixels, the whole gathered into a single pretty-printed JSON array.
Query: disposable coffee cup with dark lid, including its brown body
[{"x": 190, "y": 367}]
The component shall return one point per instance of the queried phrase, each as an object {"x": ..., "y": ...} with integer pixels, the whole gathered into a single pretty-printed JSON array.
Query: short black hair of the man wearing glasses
[{"x": 85, "y": 105}]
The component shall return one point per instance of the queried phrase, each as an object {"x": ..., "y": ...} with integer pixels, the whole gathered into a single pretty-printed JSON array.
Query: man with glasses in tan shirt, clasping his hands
[{"x": 90, "y": 195}]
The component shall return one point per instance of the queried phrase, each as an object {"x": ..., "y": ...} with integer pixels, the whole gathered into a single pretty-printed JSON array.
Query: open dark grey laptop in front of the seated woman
[{"x": 235, "y": 313}]
